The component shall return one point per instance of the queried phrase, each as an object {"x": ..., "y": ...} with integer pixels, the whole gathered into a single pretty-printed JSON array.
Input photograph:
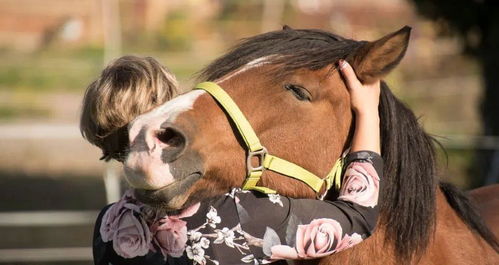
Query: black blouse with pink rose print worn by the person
[{"x": 244, "y": 227}]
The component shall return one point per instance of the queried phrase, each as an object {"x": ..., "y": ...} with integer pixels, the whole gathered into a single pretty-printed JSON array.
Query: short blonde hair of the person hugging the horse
[{"x": 126, "y": 88}]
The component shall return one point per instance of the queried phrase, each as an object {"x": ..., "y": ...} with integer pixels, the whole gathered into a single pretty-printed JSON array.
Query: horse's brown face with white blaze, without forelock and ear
[{"x": 187, "y": 149}]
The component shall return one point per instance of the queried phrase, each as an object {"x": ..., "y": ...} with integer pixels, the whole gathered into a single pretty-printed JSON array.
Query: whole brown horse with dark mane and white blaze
[{"x": 286, "y": 84}]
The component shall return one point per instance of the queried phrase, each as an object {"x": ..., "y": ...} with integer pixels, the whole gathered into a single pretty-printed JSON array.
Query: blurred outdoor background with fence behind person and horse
[{"x": 51, "y": 181}]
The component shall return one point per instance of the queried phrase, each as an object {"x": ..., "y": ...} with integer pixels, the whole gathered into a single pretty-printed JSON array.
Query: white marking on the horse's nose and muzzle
[{"x": 144, "y": 167}]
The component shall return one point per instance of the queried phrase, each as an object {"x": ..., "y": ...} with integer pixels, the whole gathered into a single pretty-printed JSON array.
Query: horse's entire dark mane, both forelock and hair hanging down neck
[{"x": 408, "y": 204}]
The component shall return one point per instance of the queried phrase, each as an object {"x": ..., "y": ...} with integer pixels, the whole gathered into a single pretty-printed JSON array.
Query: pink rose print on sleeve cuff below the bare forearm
[{"x": 360, "y": 185}]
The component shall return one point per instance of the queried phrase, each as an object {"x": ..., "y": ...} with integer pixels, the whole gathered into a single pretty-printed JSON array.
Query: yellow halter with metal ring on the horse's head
[{"x": 266, "y": 160}]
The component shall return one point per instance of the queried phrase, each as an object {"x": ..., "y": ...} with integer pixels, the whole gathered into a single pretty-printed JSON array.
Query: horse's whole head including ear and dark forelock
[{"x": 286, "y": 84}]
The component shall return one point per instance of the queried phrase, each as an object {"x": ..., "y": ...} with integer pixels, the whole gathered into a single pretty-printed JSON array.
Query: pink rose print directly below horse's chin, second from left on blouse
[{"x": 170, "y": 233}]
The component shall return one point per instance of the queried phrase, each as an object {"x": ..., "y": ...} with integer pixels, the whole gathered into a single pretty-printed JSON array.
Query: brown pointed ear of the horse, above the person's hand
[{"x": 375, "y": 59}]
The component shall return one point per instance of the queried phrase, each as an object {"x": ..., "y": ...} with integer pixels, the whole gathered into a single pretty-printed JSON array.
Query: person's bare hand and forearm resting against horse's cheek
[{"x": 364, "y": 100}]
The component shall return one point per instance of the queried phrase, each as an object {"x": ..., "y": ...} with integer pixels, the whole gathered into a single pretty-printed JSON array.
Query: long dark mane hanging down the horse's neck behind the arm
[{"x": 408, "y": 204}]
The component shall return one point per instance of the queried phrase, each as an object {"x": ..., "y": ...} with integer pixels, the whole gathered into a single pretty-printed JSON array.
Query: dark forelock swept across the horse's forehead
[{"x": 311, "y": 49}]
